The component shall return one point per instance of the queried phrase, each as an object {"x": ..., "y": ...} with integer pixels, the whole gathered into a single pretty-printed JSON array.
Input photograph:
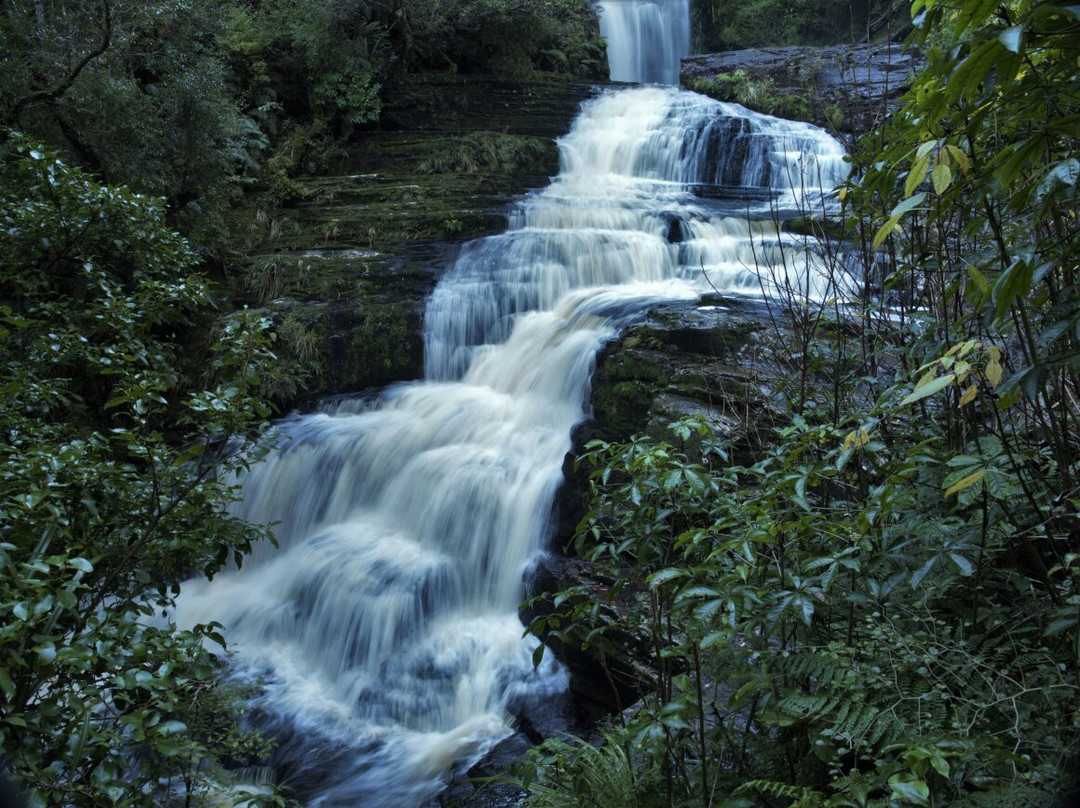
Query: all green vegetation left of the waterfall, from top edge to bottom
[{"x": 132, "y": 395}]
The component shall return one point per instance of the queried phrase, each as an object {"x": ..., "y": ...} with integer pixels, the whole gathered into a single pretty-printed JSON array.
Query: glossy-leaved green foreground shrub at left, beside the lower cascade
[{"x": 114, "y": 488}]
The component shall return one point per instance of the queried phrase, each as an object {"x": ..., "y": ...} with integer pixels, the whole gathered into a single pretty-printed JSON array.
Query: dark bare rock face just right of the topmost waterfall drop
[{"x": 861, "y": 84}]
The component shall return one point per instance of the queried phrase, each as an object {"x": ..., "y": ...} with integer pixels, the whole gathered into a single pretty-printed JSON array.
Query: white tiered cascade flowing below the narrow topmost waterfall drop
[{"x": 385, "y": 627}]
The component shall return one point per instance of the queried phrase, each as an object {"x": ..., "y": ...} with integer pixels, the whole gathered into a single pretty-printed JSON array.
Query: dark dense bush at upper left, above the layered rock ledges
[{"x": 196, "y": 101}]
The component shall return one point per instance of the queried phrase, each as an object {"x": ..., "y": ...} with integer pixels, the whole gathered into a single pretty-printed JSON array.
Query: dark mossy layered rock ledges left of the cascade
[{"x": 329, "y": 254}]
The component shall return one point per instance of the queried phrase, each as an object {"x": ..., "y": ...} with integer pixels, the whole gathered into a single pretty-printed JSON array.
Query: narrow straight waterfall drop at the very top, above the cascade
[{"x": 647, "y": 39}]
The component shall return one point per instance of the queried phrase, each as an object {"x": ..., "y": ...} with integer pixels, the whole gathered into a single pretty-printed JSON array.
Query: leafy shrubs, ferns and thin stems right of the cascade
[{"x": 882, "y": 609}]
